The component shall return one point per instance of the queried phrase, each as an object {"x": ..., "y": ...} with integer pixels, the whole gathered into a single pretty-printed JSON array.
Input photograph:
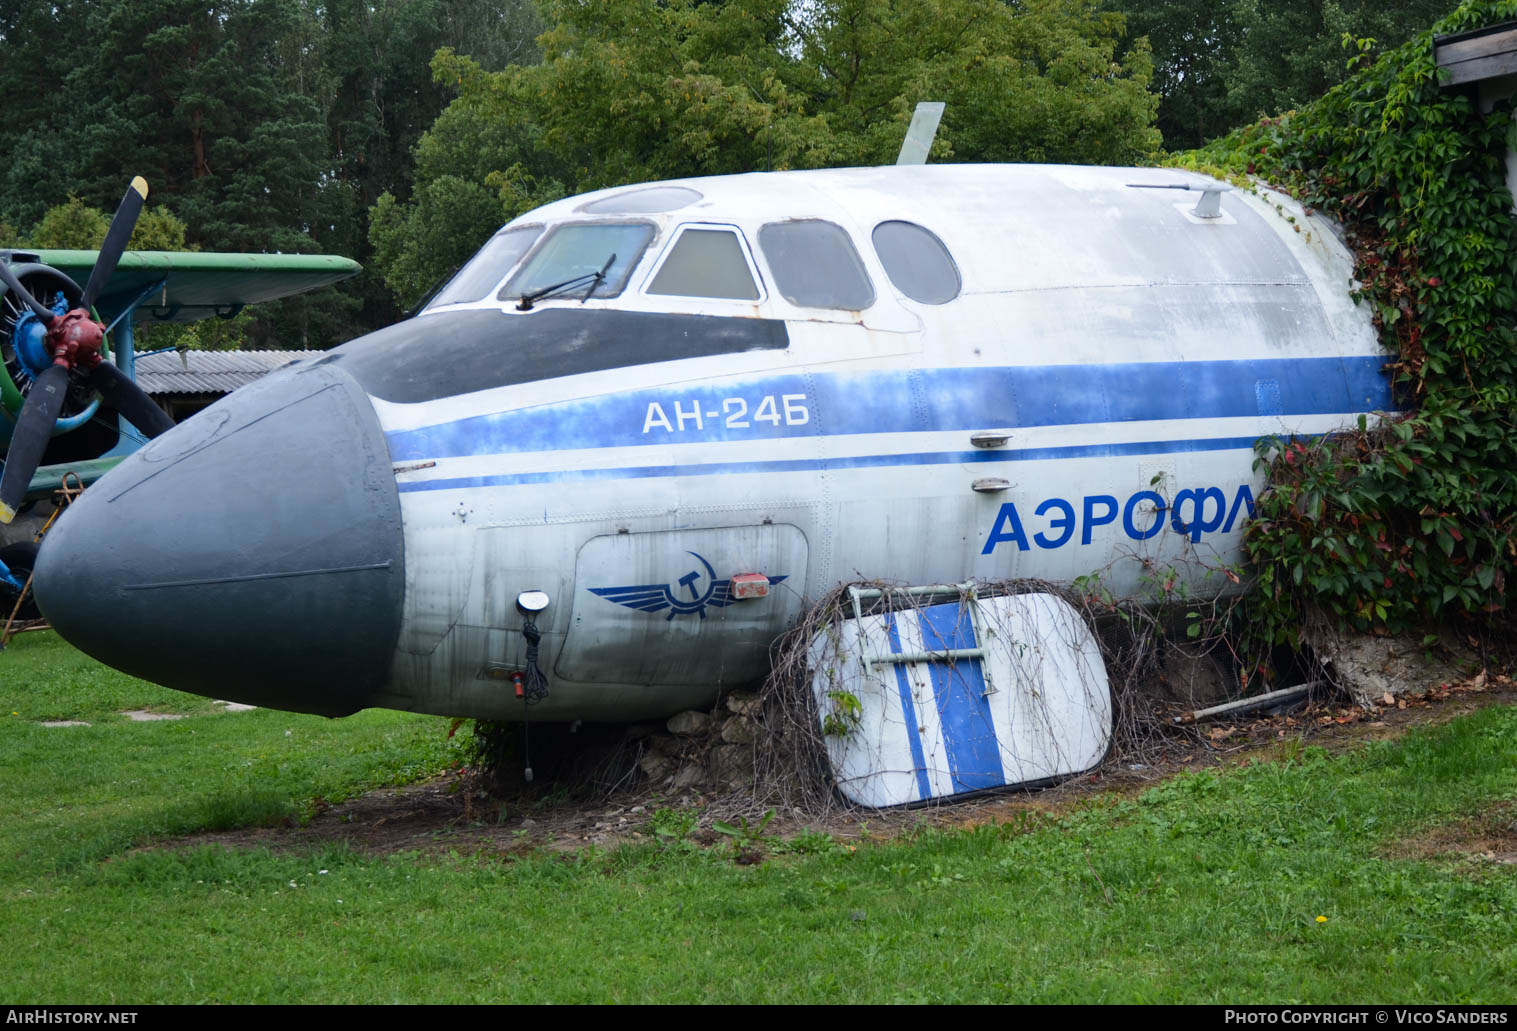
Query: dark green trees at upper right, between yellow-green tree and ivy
[{"x": 1223, "y": 63}]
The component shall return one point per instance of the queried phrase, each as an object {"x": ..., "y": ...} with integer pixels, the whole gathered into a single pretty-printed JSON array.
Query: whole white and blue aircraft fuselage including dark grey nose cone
[{"x": 354, "y": 531}]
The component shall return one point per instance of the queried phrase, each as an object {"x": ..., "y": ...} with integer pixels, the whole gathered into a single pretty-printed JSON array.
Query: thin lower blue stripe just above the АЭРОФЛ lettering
[{"x": 823, "y": 465}]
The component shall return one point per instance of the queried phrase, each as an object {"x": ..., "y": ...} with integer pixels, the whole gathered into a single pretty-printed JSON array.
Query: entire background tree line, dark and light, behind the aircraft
[{"x": 325, "y": 127}]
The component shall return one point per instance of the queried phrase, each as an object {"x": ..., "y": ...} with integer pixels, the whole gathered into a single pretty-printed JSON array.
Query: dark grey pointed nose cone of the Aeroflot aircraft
[{"x": 251, "y": 554}]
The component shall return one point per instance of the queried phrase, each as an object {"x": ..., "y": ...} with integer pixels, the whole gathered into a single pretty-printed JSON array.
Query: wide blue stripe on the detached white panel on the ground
[{"x": 964, "y": 712}]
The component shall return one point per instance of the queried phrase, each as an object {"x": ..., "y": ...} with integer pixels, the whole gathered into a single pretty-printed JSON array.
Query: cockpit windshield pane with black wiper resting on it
[{"x": 573, "y": 257}]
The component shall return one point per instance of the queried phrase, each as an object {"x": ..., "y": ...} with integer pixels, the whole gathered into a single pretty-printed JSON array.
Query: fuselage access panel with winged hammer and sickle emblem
[{"x": 659, "y": 609}]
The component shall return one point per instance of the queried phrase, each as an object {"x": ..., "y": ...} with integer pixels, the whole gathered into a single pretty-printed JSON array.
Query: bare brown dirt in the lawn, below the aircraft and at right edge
[{"x": 454, "y": 815}]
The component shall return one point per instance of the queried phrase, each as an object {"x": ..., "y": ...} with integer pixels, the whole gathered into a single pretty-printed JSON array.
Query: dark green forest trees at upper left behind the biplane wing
[{"x": 263, "y": 125}]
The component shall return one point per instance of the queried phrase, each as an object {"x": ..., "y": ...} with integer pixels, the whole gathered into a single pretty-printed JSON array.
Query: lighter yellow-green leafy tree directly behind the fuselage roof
[{"x": 641, "y": 90}]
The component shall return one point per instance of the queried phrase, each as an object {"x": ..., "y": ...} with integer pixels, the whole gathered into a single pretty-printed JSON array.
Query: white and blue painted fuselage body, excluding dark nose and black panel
[{"x": 1139, "y": 351}]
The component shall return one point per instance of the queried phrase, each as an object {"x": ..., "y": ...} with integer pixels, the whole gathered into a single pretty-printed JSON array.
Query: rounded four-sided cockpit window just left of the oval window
[{"x": 815, "y": 265}]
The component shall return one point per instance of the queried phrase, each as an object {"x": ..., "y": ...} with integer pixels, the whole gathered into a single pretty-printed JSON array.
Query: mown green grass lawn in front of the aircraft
[{"x": 1207, "y": 889}]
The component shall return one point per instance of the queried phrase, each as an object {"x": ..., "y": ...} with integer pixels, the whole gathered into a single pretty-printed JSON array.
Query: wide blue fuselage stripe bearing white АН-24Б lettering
[{"x": 912, "y": 401}]
